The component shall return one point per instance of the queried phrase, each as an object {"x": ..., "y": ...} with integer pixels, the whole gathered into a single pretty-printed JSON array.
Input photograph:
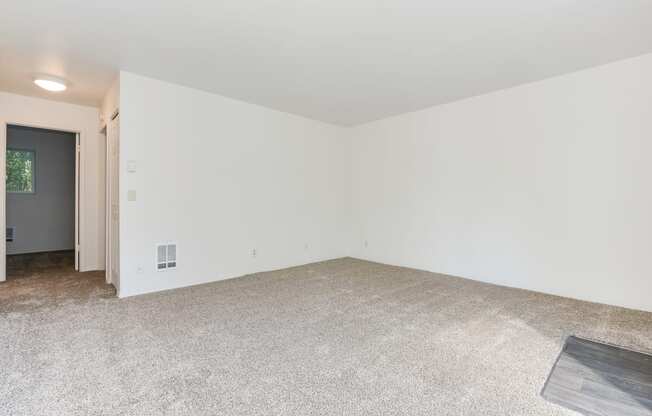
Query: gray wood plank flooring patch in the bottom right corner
[{"x": 597, "y": 379}]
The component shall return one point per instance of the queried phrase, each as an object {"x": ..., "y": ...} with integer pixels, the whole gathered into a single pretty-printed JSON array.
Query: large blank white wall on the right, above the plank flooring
[{"x": 544, "y": 186}]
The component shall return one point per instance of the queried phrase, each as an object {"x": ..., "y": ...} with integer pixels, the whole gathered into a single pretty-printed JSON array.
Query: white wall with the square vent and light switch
[{"x": 220, "y": 178}]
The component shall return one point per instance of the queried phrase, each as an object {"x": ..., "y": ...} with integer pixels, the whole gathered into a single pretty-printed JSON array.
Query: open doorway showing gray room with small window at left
[{"x": 42, "y": 190}]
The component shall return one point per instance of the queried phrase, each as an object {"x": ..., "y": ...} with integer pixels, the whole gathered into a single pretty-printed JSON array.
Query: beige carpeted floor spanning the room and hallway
[{"x": 343, "y": 337}]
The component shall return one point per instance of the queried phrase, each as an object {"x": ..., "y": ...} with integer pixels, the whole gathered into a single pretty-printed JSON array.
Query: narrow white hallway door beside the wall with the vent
[{"x": 113, "y": 202}]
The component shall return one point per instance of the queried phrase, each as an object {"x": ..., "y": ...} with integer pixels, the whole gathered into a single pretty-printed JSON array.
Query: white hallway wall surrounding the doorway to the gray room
[{"x": 36, "y": 112}]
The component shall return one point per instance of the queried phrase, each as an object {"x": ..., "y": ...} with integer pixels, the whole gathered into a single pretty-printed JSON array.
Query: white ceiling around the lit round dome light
[{"x": 340, "y": 61}]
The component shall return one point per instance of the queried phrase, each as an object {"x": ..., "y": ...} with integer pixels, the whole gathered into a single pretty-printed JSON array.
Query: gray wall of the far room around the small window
[{"x": 45, "y": 220}]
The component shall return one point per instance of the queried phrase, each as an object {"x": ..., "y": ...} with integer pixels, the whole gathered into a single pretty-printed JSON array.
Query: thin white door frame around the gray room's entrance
[{"x": 79, "y": 188}]
